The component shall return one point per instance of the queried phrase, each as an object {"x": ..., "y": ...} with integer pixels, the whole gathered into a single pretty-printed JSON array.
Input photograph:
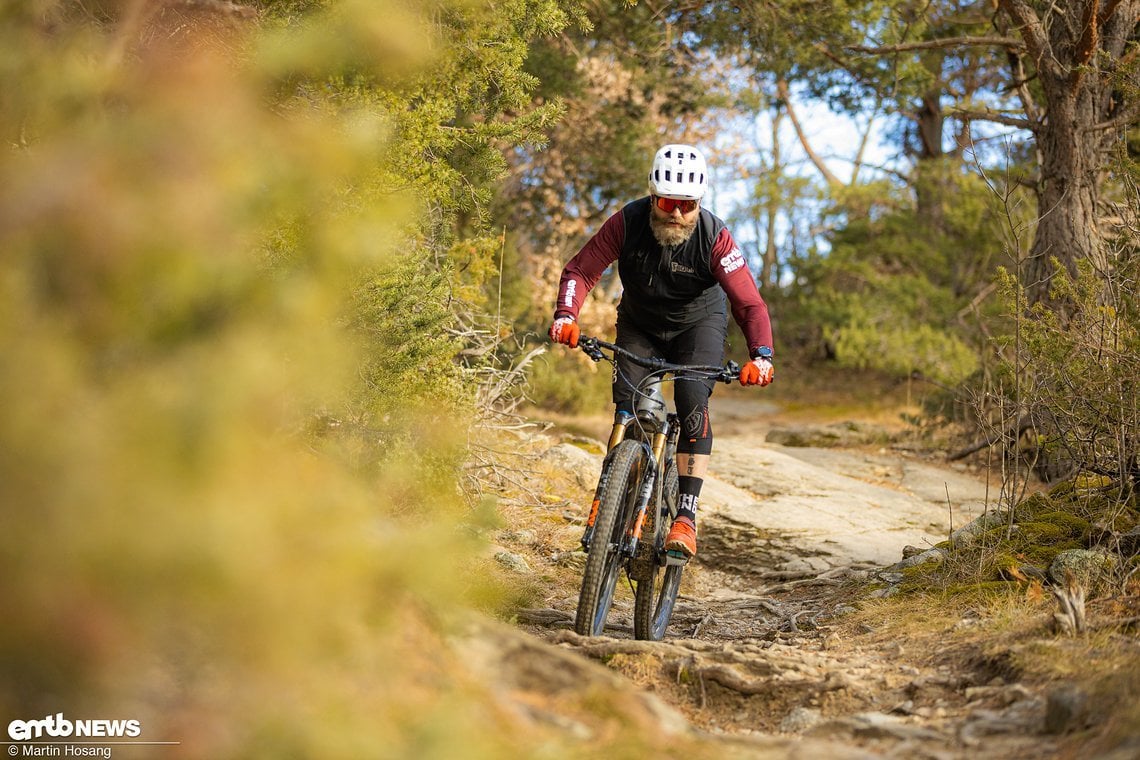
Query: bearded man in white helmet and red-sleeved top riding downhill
[{"x": 677, "y": 263}]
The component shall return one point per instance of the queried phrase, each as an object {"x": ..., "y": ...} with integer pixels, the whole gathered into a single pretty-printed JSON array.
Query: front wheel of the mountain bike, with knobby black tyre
[{"x": 616, "y": 512}]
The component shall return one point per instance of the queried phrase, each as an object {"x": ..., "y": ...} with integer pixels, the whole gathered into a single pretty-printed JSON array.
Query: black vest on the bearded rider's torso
[{"x": 667, "y": 289}]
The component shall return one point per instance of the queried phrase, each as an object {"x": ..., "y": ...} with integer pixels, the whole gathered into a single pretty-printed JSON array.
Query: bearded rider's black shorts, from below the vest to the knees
[{"x": 701, "y": 345}]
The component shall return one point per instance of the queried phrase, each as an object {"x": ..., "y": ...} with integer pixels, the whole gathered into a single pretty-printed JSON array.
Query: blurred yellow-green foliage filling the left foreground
[{"x": 178, "y": 546}]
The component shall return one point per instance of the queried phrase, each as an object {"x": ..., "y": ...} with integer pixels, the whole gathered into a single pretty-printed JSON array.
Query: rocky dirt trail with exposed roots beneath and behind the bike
[{"x": 758, "y": 650}]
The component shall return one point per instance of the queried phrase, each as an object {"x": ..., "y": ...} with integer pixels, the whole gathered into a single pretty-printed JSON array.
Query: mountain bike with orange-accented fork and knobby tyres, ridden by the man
[{"x": 636, "y": 502}]
